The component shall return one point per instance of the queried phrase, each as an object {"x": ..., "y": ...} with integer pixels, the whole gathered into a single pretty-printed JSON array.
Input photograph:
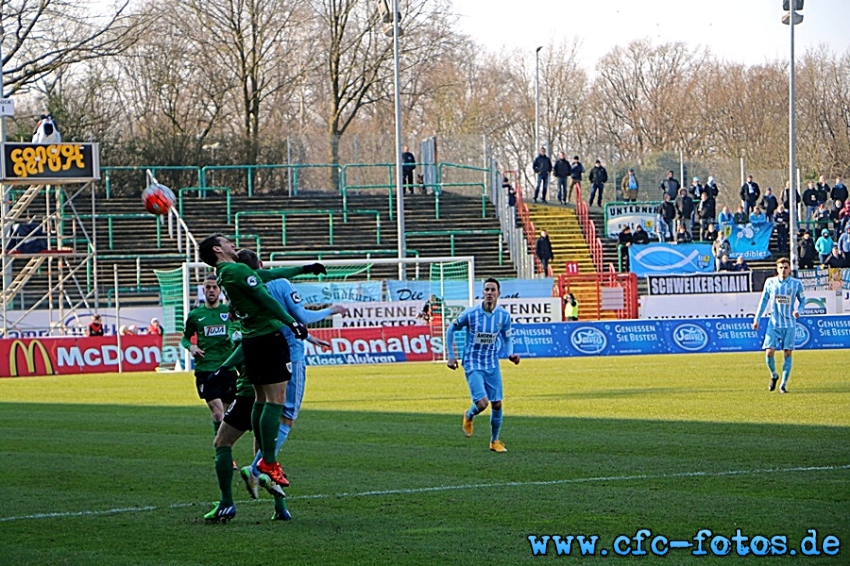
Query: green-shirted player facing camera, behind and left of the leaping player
[{"x": 209, "y": 324}]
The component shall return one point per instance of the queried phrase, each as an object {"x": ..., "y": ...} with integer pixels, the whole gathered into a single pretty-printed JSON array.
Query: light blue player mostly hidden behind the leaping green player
[{"x": 283, "y": 291}]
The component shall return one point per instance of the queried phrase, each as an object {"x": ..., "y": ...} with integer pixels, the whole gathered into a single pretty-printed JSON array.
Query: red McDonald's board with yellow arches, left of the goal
[{"x": 61, "y": 356}]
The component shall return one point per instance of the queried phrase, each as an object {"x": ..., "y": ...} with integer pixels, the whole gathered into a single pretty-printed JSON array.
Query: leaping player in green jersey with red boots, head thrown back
[{"x": 266, "y": 351}]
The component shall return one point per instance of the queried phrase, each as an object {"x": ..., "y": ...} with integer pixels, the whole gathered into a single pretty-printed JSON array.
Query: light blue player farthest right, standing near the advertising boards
[{"x": 784, "y": 295}]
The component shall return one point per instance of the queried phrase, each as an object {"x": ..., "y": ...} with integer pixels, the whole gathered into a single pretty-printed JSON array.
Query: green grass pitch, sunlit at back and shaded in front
[{"x": 118, "y": 469}]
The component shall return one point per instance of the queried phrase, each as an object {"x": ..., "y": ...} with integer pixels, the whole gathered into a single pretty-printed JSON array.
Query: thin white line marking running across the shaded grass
[{"x": 408, "y": 491}]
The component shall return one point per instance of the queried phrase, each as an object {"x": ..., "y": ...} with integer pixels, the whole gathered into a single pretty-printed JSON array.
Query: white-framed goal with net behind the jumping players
[{"x": 390, "y": 319}]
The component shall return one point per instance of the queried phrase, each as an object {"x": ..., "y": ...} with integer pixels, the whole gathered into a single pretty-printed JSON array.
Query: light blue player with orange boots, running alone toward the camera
[{"x": 488, "y": 326}]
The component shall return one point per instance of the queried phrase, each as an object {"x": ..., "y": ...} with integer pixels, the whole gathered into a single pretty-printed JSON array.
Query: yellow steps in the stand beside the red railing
[{"x": 565, "y": 234}]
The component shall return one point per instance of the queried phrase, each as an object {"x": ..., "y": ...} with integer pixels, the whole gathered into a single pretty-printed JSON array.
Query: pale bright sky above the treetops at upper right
[{"x": 743, "y": 31}]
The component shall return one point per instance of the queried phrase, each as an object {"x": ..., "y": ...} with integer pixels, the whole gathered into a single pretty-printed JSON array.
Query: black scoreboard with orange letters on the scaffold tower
[{"x": 50, "y": 163}]
